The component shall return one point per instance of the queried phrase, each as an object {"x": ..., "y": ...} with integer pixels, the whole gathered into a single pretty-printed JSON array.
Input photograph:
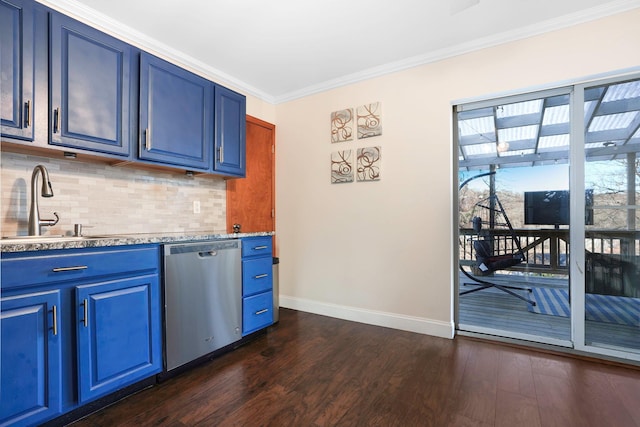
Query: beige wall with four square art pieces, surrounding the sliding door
[{"x": 381, "y": 252}]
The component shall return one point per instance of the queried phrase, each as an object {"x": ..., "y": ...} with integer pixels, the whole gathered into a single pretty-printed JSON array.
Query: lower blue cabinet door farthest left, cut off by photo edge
[{"x": 30, "y": 358}]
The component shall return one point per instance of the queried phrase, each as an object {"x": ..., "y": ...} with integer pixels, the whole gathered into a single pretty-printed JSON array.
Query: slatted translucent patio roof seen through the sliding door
[{"x": 537, "y": 132}]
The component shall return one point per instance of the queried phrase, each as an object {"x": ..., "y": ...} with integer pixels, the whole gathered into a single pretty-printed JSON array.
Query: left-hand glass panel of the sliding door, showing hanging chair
[{"x": 514, "y": 217}]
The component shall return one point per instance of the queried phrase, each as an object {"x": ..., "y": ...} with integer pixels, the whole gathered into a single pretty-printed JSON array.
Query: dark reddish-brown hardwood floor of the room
[{"x": 312, "y": 370}]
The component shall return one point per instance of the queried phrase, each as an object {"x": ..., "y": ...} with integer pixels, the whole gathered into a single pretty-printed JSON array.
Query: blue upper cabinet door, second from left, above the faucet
[{"x": 89, "y": 88}]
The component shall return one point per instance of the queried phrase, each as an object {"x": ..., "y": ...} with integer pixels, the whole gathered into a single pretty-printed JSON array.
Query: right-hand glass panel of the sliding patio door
[{"x": 612, "y": 244}]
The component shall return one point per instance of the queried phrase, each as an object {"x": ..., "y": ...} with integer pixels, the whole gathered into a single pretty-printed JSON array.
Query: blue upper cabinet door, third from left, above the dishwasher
[{"x": 176, "y": 115}]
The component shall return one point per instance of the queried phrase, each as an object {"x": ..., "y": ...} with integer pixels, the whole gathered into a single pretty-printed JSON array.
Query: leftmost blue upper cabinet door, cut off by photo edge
[{"x": 16, "y": 68}]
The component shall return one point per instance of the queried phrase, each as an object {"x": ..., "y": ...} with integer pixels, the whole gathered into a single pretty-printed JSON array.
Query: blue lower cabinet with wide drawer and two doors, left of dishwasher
[{"x": 76, "y": 325}]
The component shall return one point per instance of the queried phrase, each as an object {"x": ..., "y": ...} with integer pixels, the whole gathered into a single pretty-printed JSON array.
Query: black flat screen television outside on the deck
[{"x": 552, "y": 207}]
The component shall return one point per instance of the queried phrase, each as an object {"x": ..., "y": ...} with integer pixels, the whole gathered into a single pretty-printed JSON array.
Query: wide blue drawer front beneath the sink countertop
[{"x": 72, "y": 265}]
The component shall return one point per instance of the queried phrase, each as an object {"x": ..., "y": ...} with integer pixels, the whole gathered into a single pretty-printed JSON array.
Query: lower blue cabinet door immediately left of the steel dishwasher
[{"x": 119, "y": 334}]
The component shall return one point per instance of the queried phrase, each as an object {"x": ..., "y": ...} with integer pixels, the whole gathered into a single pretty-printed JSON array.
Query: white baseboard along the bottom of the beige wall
[{"x": 420, "y": 325}]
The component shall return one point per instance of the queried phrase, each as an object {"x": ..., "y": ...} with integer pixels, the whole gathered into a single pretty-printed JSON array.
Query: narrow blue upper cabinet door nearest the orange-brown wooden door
[{"x": 230, "y": 129}]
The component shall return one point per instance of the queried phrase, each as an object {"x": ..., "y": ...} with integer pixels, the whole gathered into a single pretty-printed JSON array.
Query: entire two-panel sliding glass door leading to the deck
[{"x": 548, "y": 226}]
